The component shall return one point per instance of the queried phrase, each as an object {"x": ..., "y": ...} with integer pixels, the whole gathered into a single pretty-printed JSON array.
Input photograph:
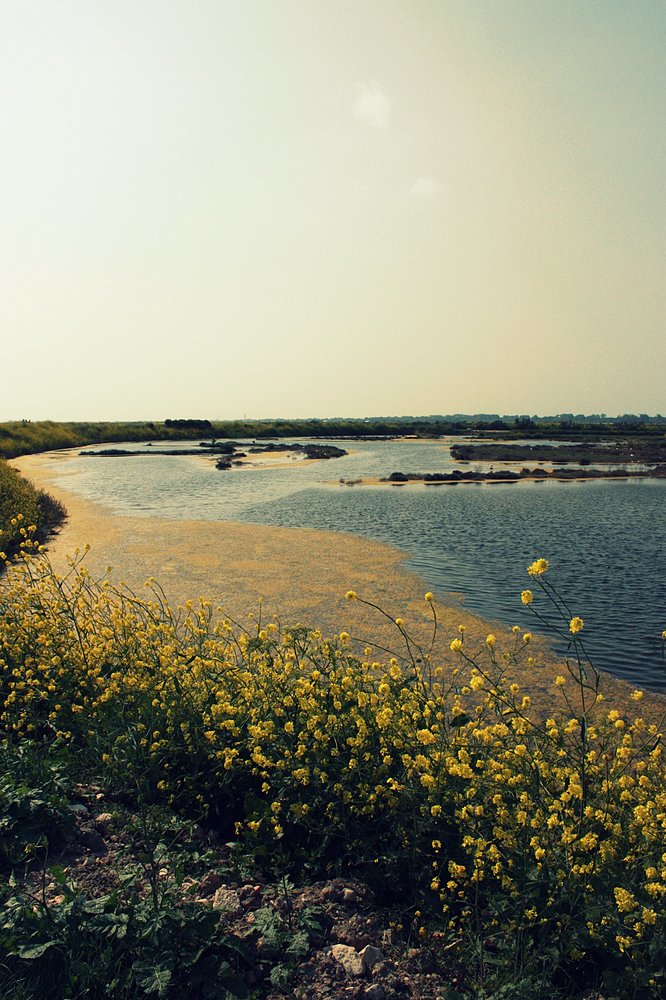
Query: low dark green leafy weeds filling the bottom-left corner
[{"x": 116, "y": 946}]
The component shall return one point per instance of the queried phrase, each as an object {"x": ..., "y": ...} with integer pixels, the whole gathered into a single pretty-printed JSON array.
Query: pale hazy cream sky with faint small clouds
[{"x": 219, "y": 208}]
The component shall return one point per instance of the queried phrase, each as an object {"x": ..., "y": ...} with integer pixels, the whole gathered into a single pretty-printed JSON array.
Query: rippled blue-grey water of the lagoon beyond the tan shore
[{"x": 605, "y": 540}]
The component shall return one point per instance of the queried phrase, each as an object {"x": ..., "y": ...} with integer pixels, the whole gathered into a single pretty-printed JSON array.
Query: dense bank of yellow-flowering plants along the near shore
[{"x": 536, "y": 847}]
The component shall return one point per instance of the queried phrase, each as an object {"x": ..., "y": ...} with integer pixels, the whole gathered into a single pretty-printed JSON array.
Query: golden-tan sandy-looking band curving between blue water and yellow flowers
[{"x": 298, "y": 574}]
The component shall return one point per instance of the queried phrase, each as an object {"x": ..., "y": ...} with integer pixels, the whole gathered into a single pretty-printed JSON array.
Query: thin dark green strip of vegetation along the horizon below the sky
[{"x": 25, "y": 436}]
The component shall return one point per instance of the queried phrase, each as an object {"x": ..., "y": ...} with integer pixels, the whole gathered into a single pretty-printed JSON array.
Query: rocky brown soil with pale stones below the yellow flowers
[{"x": 328, "y": 939}]
